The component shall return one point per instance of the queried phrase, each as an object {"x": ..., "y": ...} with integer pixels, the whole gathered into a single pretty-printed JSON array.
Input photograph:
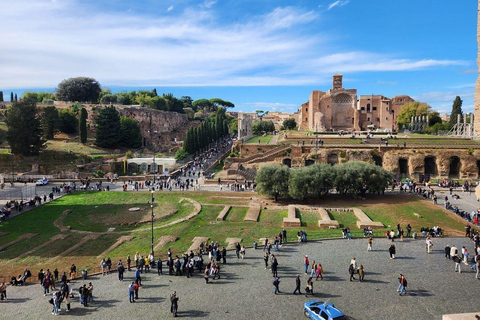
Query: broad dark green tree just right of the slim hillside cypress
[{"x": 107, "y": 128}]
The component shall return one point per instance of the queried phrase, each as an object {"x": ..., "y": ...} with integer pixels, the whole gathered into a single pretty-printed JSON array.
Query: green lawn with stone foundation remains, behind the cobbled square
[{"x": 97, "y": 211}]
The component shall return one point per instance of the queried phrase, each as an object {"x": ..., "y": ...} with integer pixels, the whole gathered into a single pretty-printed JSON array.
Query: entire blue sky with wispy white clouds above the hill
[{"x": 265, "y": 55}]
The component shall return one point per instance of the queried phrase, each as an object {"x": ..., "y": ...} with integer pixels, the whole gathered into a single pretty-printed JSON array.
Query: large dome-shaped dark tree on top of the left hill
[{"x": 81, "y": 89}]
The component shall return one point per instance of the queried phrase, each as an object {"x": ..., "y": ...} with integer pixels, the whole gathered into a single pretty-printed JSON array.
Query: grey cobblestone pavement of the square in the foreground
[{"x": 245, "y": 290}]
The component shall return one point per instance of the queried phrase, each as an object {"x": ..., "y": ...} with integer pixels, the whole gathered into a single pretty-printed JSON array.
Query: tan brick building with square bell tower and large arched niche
[{"x": 341, "y": 109}]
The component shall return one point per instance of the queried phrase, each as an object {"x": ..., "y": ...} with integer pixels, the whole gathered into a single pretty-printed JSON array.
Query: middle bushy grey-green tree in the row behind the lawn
[{"x": 311, "y": 182}]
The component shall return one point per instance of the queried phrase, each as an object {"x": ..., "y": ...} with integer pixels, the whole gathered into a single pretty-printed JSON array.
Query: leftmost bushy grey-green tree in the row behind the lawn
[{"x": 272, "y": 180}]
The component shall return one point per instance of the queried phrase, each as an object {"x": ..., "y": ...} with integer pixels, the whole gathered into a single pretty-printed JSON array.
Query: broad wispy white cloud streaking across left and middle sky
[{"x": 186, "y": 47}]
